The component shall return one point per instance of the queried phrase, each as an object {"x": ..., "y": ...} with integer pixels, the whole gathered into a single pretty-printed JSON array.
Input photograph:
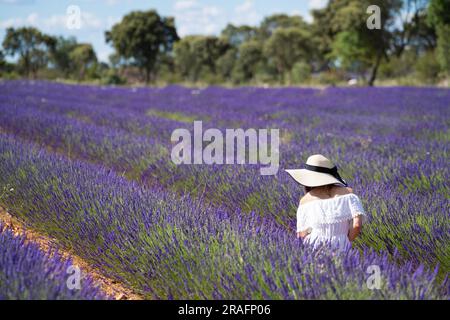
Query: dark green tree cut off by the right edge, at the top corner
[{"x": 439, "y": 17}]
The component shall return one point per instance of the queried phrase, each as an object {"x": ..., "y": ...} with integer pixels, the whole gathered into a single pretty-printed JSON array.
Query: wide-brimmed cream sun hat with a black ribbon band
[{"x": 318, "y": 171}]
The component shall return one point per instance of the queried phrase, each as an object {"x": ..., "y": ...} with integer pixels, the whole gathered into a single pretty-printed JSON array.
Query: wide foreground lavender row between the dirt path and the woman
[{"x": 164, "y": 246}]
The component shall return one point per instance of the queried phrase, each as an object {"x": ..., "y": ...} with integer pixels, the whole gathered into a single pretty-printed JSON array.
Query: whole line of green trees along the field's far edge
[{"x": 413, "y": 41}]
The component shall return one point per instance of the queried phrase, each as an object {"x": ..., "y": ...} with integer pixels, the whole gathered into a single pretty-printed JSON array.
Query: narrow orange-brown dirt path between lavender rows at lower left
[{"x": 108, "y": 286}]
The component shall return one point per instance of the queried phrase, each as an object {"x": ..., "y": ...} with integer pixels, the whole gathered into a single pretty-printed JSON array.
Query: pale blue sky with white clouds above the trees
[{"x": 58, "y": 17}]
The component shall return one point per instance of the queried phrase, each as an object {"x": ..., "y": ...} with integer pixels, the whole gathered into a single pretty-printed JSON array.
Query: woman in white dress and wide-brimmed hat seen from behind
[{"x": 329, "y": 212}]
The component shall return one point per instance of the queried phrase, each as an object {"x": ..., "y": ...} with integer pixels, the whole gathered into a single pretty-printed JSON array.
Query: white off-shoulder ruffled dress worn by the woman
[{"x": 329, "y": 220}]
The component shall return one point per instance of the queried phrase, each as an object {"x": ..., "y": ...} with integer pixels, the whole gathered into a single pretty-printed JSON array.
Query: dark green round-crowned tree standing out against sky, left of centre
[{"x": 141, "y": 37}]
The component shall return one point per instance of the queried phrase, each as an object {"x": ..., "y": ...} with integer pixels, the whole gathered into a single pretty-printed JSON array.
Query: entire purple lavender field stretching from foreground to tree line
[{"x": 91, "y": 167}]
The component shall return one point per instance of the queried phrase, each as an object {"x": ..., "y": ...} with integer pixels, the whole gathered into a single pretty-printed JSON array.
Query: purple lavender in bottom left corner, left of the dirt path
[{"x": 27, "y": 273}]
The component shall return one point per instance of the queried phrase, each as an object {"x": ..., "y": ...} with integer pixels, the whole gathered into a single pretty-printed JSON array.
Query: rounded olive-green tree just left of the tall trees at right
[{"x": 286, "y": 47}]
